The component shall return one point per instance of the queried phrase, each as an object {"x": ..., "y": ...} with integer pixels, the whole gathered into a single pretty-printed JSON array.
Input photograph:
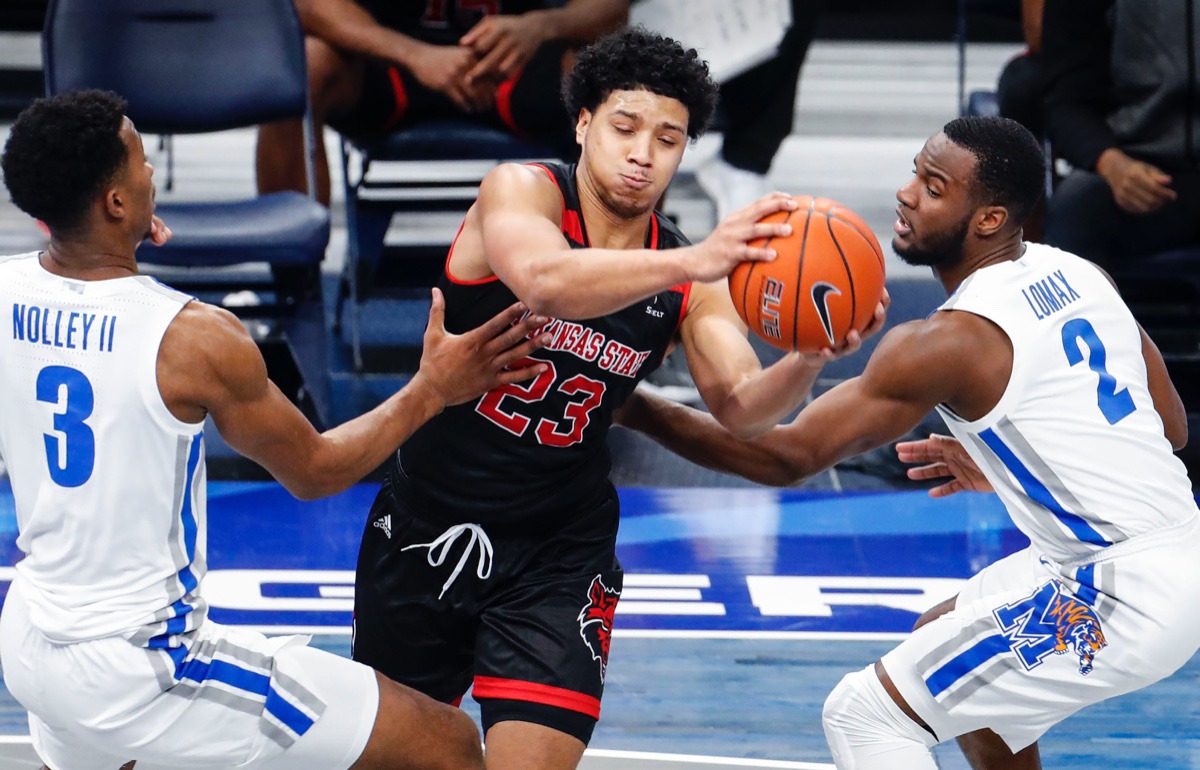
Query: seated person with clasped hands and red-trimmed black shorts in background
[{"x": 380, "y": 65}]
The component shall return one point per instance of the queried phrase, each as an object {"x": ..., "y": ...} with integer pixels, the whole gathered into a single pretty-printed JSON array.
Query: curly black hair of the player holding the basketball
[{"x": 635, "y": 59}]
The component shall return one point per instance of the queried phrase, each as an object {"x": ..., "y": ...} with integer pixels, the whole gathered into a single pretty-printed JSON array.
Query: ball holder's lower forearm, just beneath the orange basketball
[{"x": 766, "y": 398}]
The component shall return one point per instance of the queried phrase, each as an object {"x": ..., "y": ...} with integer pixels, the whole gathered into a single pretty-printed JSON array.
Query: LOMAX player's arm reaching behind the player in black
[{"x": 914, "y": 370}]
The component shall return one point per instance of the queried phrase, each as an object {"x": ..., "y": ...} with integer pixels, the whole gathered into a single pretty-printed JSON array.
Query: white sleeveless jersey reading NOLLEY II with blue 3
[{"x": 110, "y": 486}]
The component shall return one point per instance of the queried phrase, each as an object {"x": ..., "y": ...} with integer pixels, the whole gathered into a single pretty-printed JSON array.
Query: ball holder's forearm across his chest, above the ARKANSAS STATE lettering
[{"x": 581, "y": 284}]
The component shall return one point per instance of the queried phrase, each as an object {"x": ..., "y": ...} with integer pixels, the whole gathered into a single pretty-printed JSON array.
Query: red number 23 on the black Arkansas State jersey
[{"x": 549, "y": 432}]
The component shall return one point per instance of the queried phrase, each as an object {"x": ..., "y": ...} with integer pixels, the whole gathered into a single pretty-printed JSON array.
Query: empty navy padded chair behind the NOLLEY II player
[{"x": 195, "y": 67}]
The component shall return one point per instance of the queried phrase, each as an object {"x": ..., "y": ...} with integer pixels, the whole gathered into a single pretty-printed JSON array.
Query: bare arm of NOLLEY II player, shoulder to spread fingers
[{"x": 209, "y": 365}]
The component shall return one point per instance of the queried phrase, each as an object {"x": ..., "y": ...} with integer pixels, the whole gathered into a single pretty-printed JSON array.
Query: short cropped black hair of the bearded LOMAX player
[{"x": 1010, "y": 164}]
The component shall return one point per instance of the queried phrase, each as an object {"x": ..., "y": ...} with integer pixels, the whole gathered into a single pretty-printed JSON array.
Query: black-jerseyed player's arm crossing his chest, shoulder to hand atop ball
[{"x": 520, "y": 220}]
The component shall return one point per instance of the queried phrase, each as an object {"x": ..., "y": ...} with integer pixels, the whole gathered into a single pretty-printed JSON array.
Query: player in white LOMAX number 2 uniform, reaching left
[{"x": 1065, "y": 406}]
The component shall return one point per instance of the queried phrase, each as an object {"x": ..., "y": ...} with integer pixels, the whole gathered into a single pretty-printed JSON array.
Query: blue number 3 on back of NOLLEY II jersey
[{"x": 71, "y": 449}]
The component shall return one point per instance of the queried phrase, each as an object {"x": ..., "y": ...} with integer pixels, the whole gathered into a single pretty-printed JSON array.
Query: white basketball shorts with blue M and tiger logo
[{"x": 1031, "y": 642}]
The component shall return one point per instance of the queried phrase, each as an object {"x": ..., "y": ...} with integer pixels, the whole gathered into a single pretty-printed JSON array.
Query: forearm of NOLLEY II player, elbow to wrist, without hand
[{"x": 355, "y": 449}]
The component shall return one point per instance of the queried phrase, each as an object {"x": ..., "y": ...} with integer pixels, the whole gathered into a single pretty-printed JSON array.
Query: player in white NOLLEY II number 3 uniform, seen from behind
[{"x": 106, "y": 380}]
